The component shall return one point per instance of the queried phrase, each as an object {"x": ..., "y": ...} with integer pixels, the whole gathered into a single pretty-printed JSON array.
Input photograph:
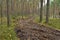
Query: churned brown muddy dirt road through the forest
[{"x": 28, "y": 30}]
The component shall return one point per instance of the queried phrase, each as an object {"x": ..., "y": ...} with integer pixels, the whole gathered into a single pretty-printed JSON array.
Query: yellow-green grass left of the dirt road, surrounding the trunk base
[{"x": 7, "y": 33}]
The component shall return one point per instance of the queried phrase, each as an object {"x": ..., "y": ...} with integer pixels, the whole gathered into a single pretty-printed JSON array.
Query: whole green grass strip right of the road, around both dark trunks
[{"x": 54, "y": 23}]
